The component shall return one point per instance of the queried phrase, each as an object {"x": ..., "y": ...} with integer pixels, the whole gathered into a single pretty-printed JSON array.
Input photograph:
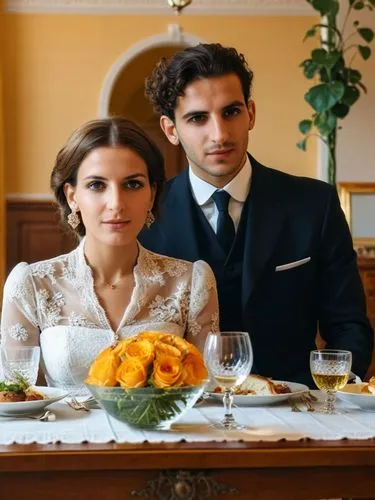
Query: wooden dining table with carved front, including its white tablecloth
[{"x": 283, "y": 455}]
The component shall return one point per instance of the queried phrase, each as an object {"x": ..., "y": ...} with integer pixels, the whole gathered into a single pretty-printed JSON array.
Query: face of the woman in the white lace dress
[{"x": 112, "y": 194}]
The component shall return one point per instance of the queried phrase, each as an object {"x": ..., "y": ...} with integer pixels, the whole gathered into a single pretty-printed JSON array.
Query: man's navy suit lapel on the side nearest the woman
[{"x": 181, "y": 217}]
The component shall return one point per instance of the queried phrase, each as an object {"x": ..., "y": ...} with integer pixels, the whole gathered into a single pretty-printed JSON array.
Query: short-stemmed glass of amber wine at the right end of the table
[{"x": 330, "y": 369}]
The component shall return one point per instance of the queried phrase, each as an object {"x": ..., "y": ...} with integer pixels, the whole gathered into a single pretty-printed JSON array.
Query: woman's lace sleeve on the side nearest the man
[{"x": 203, "y": 315}]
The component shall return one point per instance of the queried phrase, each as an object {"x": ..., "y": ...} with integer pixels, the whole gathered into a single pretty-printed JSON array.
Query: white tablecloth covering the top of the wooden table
[{"x": 270, "y": 423}]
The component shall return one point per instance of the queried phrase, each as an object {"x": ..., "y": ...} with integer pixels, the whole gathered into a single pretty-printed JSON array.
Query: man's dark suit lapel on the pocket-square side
[{"x": 264, "y": 222}]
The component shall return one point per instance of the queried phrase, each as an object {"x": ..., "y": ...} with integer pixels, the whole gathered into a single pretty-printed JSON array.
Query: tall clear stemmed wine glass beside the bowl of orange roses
[{"x": 229, "y": 358}]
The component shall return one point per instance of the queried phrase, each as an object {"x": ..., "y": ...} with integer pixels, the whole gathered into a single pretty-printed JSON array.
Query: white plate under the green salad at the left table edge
[{"x": 29, "y": 407}]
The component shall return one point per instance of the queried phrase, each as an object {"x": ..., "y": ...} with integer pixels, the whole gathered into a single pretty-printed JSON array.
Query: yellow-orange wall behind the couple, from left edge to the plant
[{"x": 55, "y": 66}]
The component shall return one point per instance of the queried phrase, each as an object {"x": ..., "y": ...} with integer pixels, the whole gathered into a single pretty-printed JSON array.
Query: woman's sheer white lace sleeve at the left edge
[{"x": 19, "y": 322}]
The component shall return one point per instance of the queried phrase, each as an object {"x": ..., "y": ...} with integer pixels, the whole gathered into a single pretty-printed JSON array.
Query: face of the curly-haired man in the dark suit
[{"x": 212, "y": 121}]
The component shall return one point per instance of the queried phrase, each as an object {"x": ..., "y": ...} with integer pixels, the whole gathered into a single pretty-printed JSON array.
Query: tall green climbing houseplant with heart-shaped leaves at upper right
[{"x": 337, "y": 85}]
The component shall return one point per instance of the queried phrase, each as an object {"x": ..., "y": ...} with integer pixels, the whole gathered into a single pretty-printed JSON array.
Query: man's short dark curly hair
[{"x": 171, "y": 76}]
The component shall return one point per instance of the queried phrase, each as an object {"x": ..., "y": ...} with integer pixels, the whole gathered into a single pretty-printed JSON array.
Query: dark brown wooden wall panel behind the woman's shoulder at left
[{"x": 34, "y": 232}]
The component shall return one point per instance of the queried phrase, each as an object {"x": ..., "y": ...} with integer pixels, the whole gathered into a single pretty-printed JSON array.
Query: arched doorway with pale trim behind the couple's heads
[{"x": 123, "y": 91}]
